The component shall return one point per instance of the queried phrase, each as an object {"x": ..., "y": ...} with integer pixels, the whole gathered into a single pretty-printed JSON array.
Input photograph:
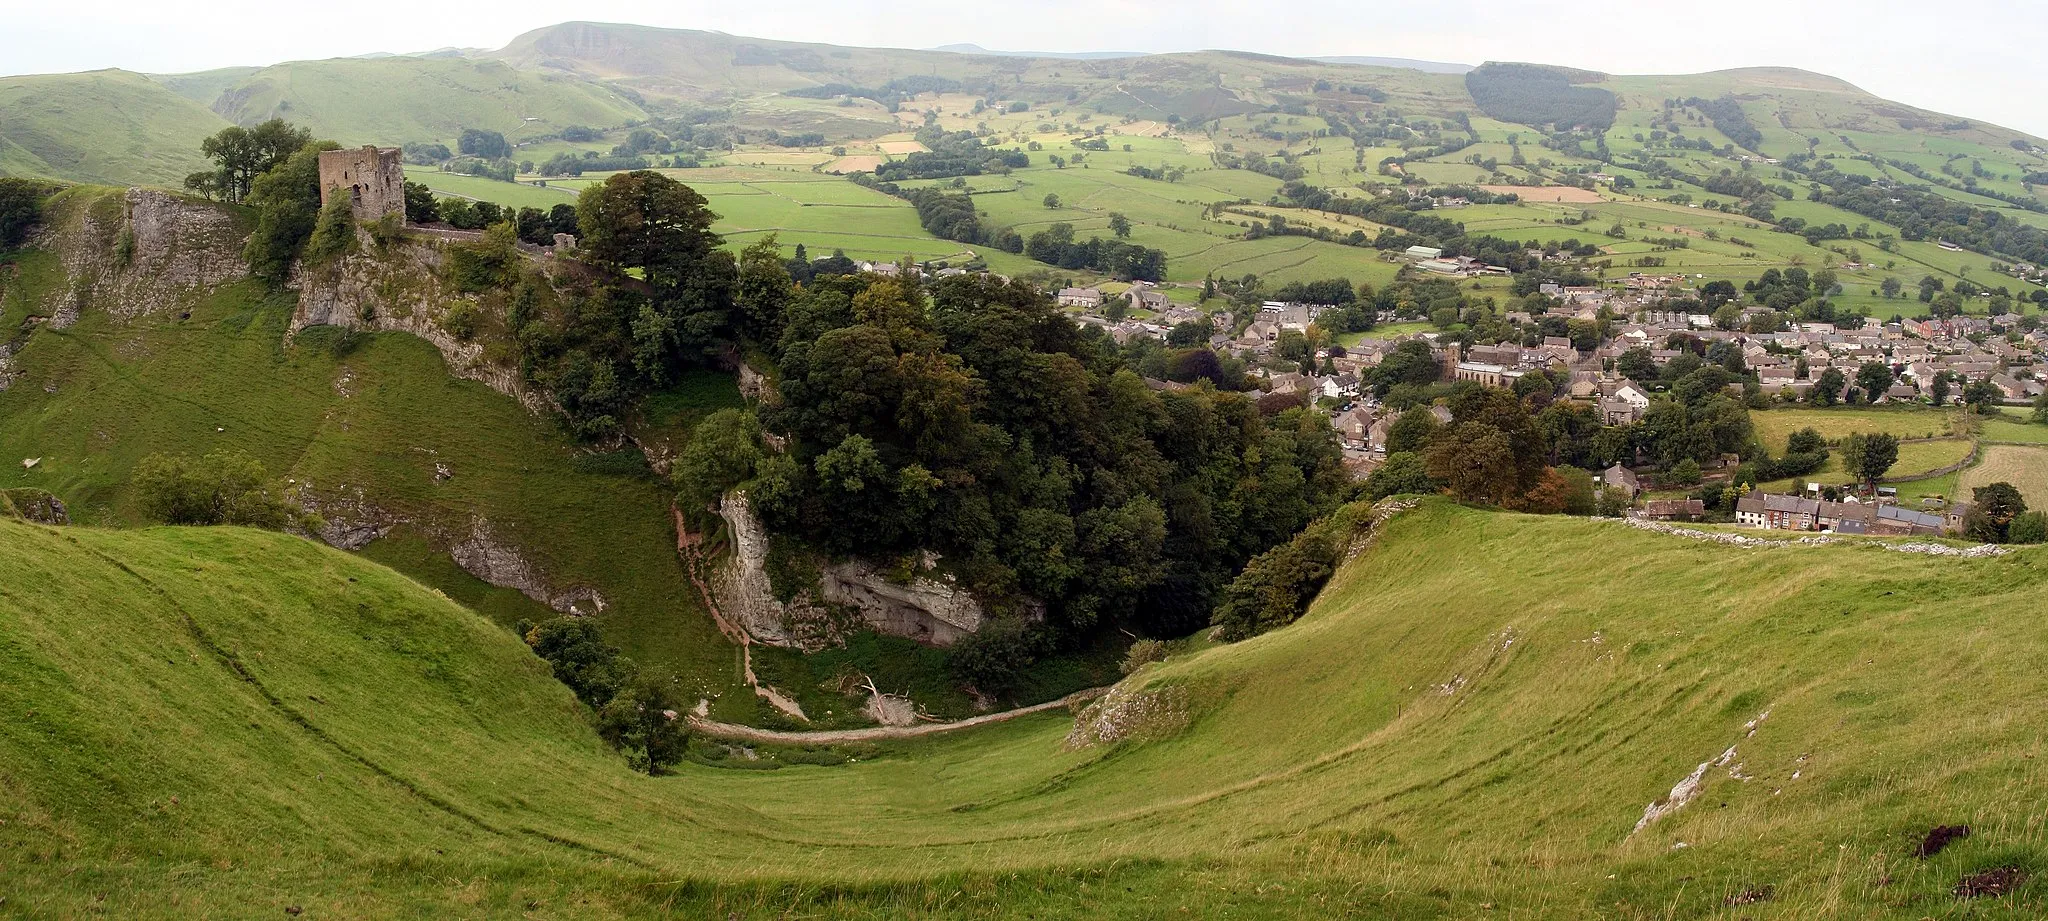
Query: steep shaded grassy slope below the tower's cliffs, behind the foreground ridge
[{"x": 372, "y": 421}]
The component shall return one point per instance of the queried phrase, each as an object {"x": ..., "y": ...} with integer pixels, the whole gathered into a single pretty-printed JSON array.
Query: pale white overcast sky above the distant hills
[{"x": 1975, "y": 58}]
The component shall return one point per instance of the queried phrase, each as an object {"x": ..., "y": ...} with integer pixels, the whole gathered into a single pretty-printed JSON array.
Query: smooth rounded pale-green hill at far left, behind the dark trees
[{"x": 108, "y": 126}]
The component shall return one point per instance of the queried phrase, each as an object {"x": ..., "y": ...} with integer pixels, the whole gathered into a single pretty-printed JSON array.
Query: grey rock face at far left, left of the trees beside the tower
[{"x": 138, "y": 255}]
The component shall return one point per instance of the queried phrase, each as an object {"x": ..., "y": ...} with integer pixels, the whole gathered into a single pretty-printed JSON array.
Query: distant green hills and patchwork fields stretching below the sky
[{"x": 1185, "y": 112}]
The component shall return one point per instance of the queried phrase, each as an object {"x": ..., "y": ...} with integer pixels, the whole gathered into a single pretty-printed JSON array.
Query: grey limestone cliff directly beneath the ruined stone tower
[{"x": 398, "y": 288}]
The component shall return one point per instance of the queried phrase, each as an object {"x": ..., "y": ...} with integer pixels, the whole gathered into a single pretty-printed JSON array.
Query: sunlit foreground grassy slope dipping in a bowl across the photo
[{"x": 1469, "y": 723}]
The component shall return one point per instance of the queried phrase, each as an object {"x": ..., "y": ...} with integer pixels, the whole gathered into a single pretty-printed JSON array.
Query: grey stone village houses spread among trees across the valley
[{"x": 1787, "y": 369}]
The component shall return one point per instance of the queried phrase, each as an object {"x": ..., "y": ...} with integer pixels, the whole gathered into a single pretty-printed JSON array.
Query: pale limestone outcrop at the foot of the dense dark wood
[{"x": 927, "y": 605}]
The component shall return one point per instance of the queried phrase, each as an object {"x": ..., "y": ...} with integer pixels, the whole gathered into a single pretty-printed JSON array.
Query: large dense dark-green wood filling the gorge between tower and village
[{"x": 980, "y": 423}]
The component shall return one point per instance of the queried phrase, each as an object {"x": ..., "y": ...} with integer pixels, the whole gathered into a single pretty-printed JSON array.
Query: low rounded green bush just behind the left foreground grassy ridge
[{"x": 222, "y": 488}]
